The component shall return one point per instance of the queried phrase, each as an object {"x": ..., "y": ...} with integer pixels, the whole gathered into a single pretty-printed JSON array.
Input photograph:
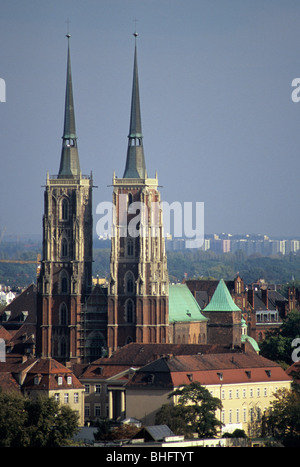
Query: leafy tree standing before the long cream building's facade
[{"x": 195, "y": 412}]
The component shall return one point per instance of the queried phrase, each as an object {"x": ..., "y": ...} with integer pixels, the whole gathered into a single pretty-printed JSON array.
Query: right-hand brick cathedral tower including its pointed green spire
[{"x": 138, "y": 286}]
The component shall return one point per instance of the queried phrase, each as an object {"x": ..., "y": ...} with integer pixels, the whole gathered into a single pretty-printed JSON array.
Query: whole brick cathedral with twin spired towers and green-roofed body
[{"x": 78, "y": 322}]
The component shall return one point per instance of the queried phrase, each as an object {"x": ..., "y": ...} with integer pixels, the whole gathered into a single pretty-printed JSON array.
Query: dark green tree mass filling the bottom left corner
[{"x": 35, "y": 423}]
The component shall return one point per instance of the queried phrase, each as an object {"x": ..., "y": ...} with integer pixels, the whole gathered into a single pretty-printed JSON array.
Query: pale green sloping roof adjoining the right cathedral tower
[{"x": 182, "y": 305}]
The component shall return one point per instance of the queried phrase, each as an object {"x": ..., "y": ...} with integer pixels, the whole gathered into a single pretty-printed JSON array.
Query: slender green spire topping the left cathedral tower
[{"x": 69, "y": 163}]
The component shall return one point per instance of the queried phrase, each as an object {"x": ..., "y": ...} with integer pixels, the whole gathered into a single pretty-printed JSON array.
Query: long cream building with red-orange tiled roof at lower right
[{"x": 244, "y": 382}]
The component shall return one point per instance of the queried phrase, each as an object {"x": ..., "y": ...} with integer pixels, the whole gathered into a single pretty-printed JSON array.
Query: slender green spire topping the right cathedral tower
[{"x": 135, "y": 162}]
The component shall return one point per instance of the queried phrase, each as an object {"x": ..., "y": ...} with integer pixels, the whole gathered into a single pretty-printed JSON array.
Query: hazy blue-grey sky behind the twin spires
[{"x": 218, "y": 120}]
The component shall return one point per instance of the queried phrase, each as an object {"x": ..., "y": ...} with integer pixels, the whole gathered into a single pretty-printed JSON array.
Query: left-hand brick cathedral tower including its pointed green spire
[{"x": 66, "y": 267}]
